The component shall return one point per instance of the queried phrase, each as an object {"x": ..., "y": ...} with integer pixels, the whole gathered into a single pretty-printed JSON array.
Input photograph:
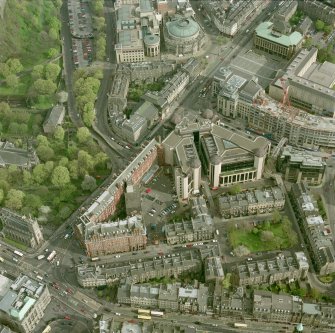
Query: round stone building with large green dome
[{"x": 183, "y": 35}]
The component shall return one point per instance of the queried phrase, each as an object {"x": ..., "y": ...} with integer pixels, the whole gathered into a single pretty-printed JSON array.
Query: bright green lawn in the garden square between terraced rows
[{"x": 254, "y": 243}]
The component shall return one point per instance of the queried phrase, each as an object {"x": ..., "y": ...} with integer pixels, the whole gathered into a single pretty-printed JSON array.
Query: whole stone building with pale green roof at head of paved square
[{"x": 267, "y": 38}]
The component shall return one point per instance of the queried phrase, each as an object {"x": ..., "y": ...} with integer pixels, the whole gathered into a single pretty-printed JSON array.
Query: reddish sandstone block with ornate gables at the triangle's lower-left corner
[{"x": 102, "y": 239}]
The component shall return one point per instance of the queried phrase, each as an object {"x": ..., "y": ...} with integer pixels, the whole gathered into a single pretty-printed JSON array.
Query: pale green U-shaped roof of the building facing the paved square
[{"x": 264, "y": 30}]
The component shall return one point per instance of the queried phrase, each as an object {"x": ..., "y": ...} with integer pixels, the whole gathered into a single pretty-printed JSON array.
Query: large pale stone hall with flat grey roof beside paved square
[{"x": 307, "y": 83}]
